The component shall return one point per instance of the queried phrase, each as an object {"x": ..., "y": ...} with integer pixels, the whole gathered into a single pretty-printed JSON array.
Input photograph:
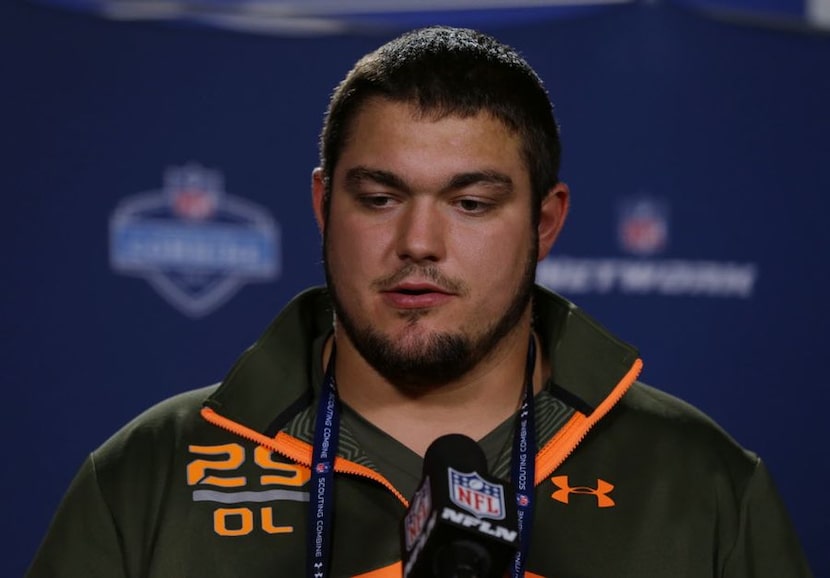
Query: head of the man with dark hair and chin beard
[{"x": 437, "y": 195}]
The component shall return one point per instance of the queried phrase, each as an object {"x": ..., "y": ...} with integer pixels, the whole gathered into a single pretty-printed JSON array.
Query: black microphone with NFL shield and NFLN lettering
[{"x": 462, "y": 522}]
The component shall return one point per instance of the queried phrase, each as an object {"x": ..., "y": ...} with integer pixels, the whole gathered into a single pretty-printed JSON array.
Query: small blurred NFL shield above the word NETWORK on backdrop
[{"x": 643, "y": 226}]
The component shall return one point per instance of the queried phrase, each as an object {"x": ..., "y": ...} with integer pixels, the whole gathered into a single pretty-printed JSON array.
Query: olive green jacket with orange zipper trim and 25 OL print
[{"x": 213, "y": 483}]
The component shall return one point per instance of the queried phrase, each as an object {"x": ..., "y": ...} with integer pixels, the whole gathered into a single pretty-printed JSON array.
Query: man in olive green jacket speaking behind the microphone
[{"x": 437, "y": 193}]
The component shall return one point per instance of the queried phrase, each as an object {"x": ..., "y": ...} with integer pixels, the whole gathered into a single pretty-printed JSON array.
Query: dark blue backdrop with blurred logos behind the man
[{"x": 156, "y": 209}]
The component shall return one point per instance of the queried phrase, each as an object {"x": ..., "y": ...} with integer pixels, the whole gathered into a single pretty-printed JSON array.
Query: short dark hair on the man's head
[{"x": 450, "y": 71}]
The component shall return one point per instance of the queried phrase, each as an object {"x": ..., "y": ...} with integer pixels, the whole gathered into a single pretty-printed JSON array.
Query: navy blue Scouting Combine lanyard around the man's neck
[{"x": 327, "y": 432}]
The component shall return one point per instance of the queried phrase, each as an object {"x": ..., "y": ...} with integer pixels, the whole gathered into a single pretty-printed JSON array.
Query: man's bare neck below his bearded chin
[{"x": 472, "y": 405}]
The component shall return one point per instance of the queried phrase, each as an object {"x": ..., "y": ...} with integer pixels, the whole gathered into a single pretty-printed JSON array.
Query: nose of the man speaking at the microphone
[{"x": 420, "y": 232}]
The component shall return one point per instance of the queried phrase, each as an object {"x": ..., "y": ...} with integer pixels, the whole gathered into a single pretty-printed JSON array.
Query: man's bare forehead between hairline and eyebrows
[{"x": 417, "y": 145}]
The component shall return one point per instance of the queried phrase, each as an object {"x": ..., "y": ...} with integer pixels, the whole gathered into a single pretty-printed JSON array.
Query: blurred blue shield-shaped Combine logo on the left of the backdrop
[{"x": 195, "y": 244}]
